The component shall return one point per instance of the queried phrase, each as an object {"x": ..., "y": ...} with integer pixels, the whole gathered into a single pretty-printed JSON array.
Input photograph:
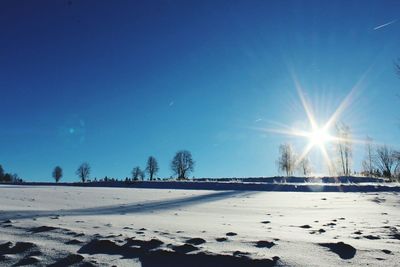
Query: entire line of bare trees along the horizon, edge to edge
[{"x": 380, "y": 161}]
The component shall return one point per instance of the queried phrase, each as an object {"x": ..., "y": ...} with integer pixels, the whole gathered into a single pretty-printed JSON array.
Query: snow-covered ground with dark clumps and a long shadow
[{"x": 86, "y": 226}]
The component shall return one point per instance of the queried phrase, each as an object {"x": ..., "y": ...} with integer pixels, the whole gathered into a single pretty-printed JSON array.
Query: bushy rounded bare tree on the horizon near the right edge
[{"x": 385, "y": 160}]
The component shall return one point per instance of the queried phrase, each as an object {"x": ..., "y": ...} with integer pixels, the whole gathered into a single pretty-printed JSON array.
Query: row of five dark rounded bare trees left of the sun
[{"x": 181, "y": 165}]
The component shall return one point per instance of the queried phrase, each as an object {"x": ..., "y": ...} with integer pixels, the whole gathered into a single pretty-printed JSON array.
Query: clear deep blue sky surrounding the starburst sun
[{"x": 113, "y": 82}]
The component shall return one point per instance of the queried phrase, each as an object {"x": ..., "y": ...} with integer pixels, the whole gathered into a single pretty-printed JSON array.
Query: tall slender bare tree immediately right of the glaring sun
[{"x": 344, "y": 148}]
